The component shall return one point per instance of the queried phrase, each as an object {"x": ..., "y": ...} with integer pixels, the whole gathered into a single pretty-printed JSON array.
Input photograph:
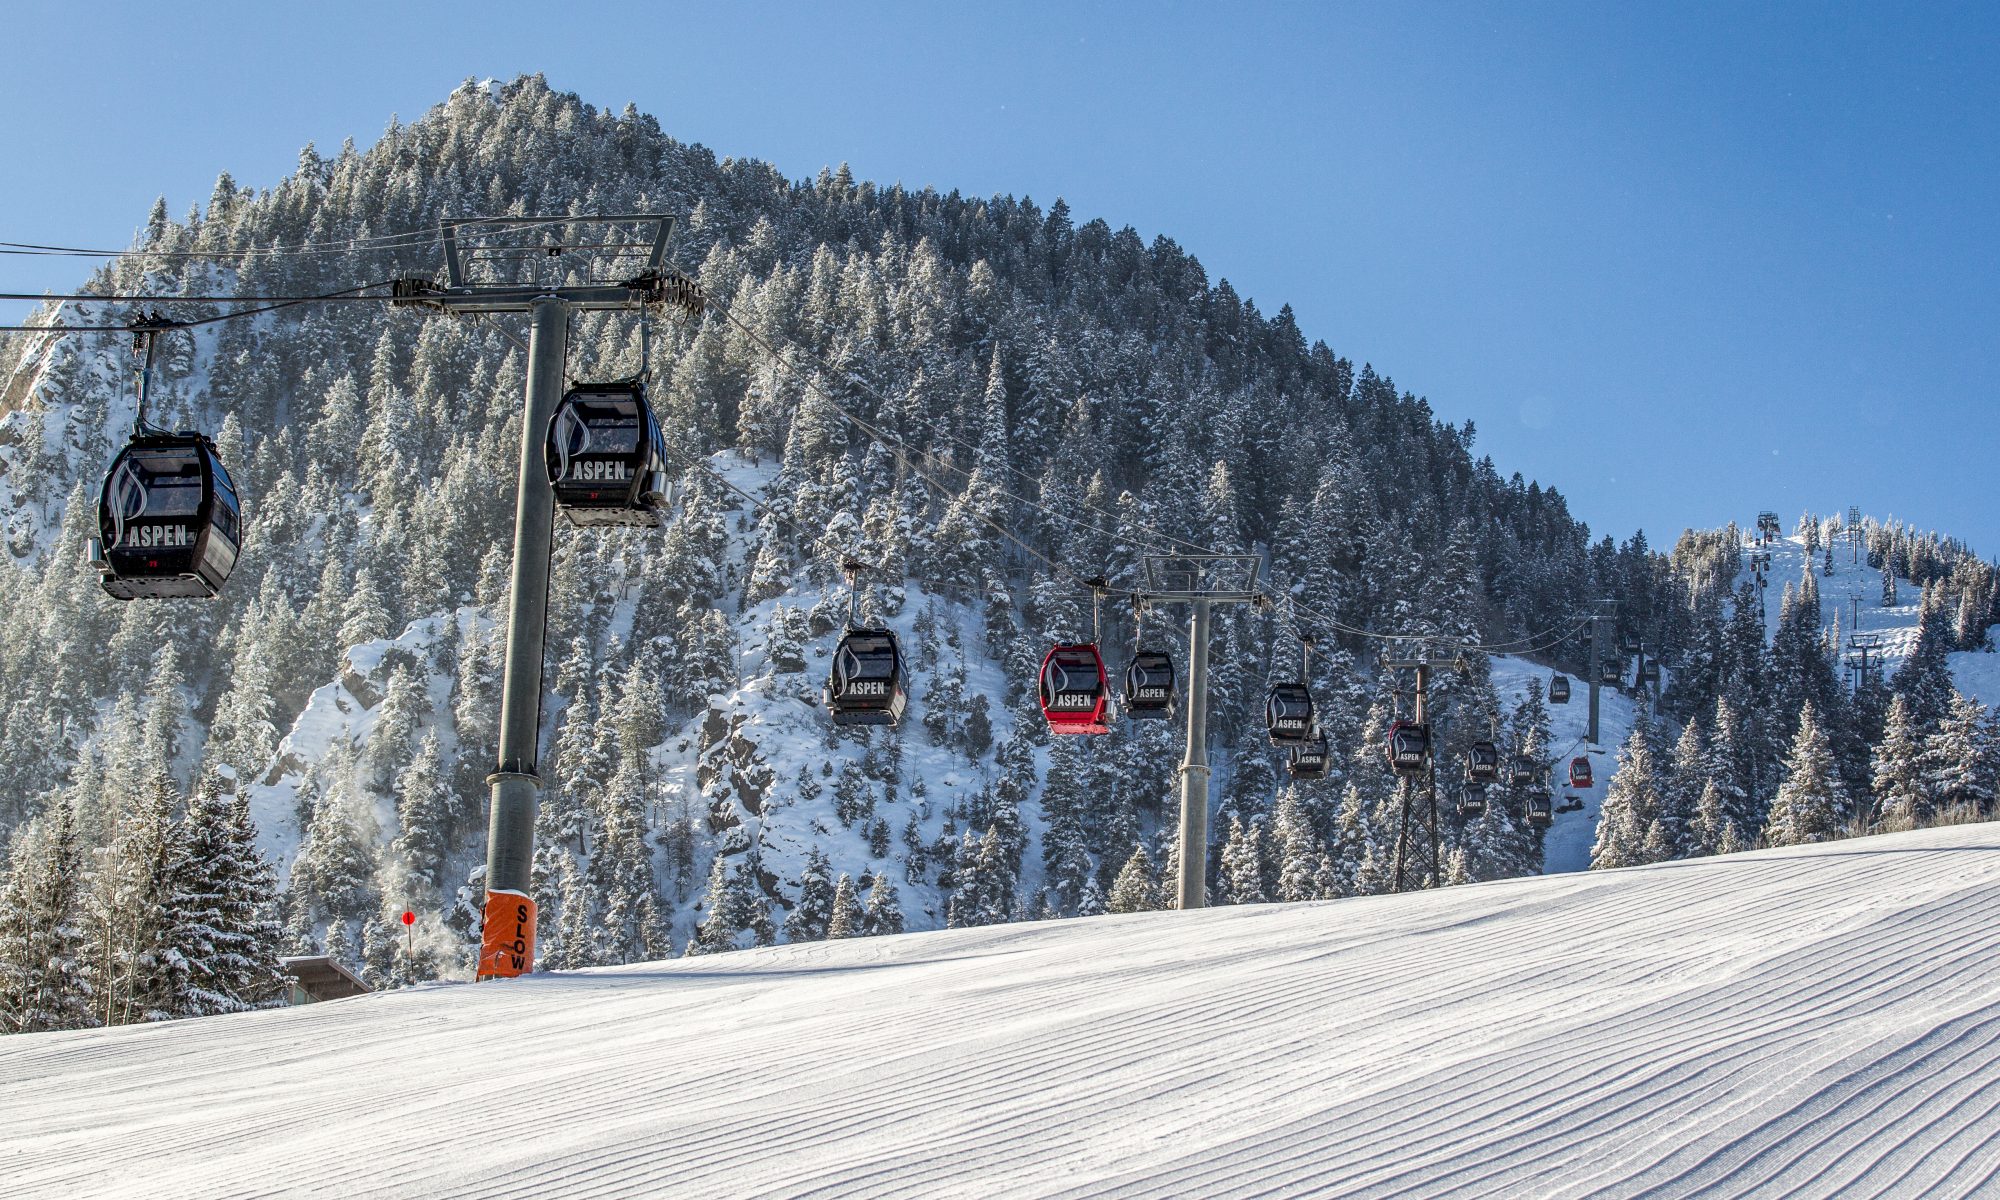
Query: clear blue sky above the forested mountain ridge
[{"x": 1681, "y": 261}]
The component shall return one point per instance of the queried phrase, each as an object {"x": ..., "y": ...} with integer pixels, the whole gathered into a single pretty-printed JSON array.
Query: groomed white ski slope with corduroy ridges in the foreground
[{"x": 1797, "y": 1023}]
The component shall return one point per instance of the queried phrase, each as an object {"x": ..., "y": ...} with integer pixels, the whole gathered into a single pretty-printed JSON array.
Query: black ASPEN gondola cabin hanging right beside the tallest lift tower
[{"x": 607, "y": 459}]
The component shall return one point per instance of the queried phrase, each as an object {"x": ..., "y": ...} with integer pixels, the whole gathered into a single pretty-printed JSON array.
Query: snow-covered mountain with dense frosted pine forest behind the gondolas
[{"x": 1077, "y": 399}]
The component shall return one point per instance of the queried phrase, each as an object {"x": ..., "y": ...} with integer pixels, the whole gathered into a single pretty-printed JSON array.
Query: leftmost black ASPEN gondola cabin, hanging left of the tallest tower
[{"x": 169, "y": 521}]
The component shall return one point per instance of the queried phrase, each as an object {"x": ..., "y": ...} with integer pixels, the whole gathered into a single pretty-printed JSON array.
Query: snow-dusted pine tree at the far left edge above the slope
[{"x": 45, "y": 981}]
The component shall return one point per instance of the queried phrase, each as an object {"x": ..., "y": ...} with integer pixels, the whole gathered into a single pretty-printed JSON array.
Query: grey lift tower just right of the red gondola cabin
[{"x": 1201, "y": 581}]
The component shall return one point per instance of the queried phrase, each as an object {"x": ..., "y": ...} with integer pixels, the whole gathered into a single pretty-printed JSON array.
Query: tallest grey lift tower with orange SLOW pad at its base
[{"x": 493, "y": 267}]
